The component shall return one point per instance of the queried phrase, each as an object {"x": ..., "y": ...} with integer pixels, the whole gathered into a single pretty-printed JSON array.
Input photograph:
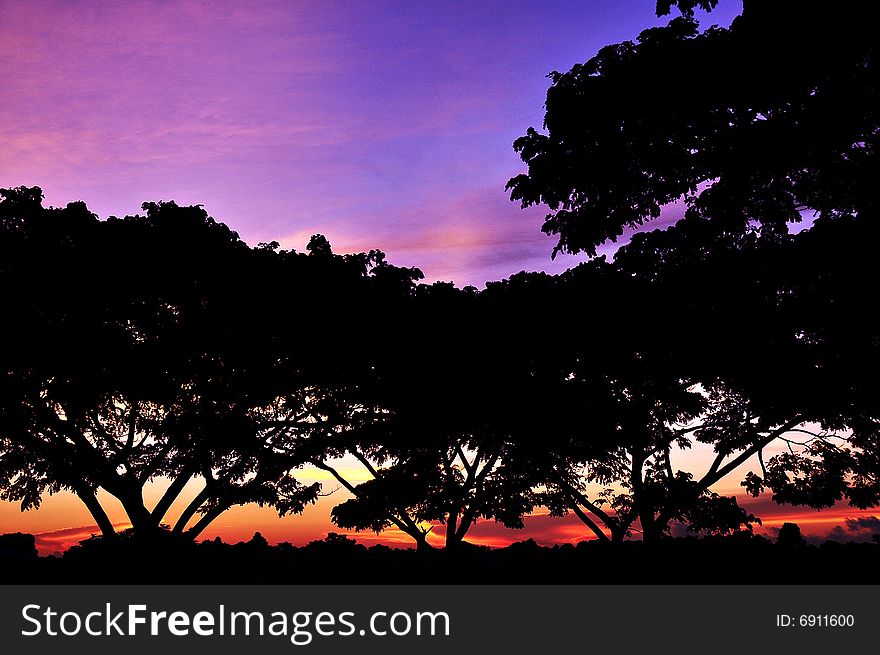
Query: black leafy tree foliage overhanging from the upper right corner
[{"x": 762, "y": 122}]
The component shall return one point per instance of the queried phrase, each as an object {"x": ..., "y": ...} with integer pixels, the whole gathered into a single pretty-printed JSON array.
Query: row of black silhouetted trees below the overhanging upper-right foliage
[{"x": 162, "y": 346}]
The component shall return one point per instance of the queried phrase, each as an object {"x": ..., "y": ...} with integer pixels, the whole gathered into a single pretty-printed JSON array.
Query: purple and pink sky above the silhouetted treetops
[{"x": 380, "y": 124}]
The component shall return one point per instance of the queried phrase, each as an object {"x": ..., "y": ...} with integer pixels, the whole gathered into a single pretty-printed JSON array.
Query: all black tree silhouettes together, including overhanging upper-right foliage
[{"x": 160, "y": 345}]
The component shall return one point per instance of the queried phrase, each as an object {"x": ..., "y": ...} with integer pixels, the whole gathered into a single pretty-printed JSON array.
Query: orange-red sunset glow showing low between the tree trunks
[{"x": 62, "y": 520}]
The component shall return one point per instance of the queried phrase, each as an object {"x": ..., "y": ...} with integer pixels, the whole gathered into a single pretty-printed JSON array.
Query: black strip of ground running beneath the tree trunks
[{"x": 740, "y": 559}]
